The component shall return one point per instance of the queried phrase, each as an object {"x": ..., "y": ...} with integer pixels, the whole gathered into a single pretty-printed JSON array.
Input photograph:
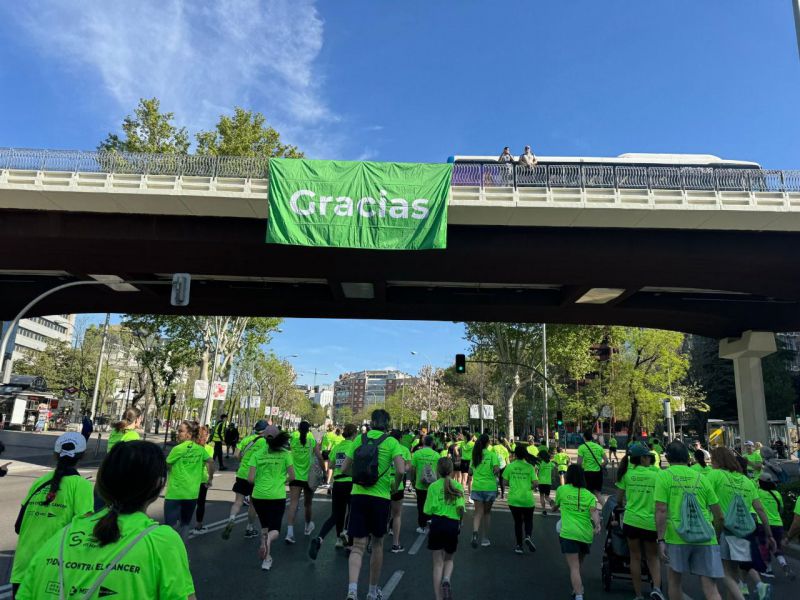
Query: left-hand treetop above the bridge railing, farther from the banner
[{"x": 148, "y": 130}]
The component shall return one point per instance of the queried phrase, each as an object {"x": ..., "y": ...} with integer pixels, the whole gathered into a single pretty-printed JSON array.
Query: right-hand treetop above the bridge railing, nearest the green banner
[{"x": 244, "y": 134}]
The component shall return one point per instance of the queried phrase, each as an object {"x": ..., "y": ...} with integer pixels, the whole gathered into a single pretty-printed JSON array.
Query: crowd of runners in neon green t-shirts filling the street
[{"x": 715, "y": 515}]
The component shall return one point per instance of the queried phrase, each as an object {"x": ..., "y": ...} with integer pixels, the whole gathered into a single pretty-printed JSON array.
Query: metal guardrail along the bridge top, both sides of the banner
[{"x": 485, "y": 175}]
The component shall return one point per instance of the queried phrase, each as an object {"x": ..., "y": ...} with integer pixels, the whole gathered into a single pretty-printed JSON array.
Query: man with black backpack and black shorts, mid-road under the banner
[{"x": 368, "y": 461}]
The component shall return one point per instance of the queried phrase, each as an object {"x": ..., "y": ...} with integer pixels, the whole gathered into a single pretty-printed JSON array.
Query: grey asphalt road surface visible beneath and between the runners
[{"x": 224, "y": 568}]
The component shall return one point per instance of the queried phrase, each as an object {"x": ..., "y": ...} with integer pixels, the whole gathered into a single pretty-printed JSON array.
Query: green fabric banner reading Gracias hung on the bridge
[{"x": 346, "y": 204}]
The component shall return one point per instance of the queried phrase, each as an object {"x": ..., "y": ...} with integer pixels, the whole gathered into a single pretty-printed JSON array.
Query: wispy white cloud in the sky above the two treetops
[{"x": 200, "y": 59}]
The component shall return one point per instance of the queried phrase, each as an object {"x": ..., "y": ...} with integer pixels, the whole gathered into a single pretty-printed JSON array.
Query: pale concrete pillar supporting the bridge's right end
[{"x": 746, "y": 353}]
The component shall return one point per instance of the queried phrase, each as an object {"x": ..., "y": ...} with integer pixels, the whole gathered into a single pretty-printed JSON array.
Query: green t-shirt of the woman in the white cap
[{"x": 41, "y": 521}]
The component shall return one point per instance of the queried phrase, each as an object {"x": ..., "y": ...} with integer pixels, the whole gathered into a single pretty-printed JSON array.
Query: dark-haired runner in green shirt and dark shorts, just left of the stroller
[{"x": 579, "y": 522}]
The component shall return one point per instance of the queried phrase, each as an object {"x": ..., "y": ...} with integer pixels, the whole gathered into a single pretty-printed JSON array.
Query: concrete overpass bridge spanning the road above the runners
[{"x": 690, "y": 249}]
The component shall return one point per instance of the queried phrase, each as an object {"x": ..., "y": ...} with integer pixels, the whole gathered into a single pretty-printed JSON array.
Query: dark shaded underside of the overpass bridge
[{"x": 714, "y": 283}]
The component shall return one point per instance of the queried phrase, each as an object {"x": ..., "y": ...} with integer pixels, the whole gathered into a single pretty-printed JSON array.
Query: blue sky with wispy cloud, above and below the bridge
[{"x": 412, "y": 81}]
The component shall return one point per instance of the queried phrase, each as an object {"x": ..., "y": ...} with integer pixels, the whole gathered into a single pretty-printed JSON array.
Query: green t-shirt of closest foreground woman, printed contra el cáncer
[{"x": 156, "y": 567}]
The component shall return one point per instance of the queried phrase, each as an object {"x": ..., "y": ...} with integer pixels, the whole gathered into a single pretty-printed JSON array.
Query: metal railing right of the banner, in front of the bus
[{"x": 489, "y": 175}]
